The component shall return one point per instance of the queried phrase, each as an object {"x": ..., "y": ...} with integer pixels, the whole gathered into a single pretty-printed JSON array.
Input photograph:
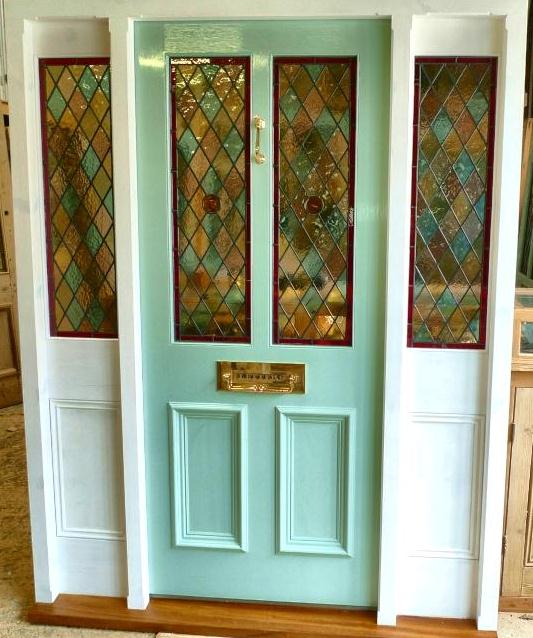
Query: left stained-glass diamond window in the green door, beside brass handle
[{"x": 211, "y": 155}]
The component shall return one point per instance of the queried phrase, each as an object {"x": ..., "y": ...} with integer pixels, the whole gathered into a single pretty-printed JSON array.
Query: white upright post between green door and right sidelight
[{"x": 396, "y": 369}]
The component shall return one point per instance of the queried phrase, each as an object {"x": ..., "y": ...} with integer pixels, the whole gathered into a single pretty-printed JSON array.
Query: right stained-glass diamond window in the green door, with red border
[{"x": 314, "y": 198}]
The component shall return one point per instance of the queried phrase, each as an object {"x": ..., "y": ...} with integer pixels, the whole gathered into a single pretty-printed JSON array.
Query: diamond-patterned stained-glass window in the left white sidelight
[{"x": 78, "y": 176}]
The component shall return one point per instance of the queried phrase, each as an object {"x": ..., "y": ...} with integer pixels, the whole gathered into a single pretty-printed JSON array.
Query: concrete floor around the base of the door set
[{"x": 16, "y": 584}]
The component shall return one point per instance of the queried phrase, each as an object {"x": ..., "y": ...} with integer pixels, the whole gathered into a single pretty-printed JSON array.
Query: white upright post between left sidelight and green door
[{"x": 129, "y": 307}]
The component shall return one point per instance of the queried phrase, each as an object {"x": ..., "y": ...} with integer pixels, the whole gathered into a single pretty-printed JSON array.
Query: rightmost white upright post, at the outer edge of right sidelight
[{"x": 507, "y": 162}]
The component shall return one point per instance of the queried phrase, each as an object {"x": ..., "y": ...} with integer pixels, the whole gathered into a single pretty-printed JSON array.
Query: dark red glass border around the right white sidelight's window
[{"x": 485, "y": 263}]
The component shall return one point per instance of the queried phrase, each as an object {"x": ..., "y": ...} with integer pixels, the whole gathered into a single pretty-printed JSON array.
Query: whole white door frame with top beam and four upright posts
[{"x": 506, "y": 27}]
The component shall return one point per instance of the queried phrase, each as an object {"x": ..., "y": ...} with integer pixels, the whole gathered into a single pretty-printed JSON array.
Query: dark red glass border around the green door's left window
[{"x": 245, "y": 62}]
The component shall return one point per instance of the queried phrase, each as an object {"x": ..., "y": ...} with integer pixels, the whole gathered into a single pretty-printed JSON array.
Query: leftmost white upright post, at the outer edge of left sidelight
[{"x": 32, "y": 302}]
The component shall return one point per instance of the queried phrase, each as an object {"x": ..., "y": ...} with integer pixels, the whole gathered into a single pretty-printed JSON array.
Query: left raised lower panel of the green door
[{"x": 209, "y": 471}]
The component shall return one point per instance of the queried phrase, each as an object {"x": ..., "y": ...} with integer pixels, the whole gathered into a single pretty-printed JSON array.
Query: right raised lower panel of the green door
[{"x": 315, "y": 466}]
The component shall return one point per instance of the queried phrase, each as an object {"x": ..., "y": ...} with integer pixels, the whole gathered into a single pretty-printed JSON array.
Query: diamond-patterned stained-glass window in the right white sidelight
[{"x": 451, "y": 203}]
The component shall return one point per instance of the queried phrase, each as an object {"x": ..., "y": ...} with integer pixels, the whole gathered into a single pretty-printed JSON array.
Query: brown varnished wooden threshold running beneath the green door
[{"x": 218, "y": 618}]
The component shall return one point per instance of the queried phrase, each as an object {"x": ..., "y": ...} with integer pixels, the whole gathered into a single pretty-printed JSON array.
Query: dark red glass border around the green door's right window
[{"x": 352, "y": 62}]
